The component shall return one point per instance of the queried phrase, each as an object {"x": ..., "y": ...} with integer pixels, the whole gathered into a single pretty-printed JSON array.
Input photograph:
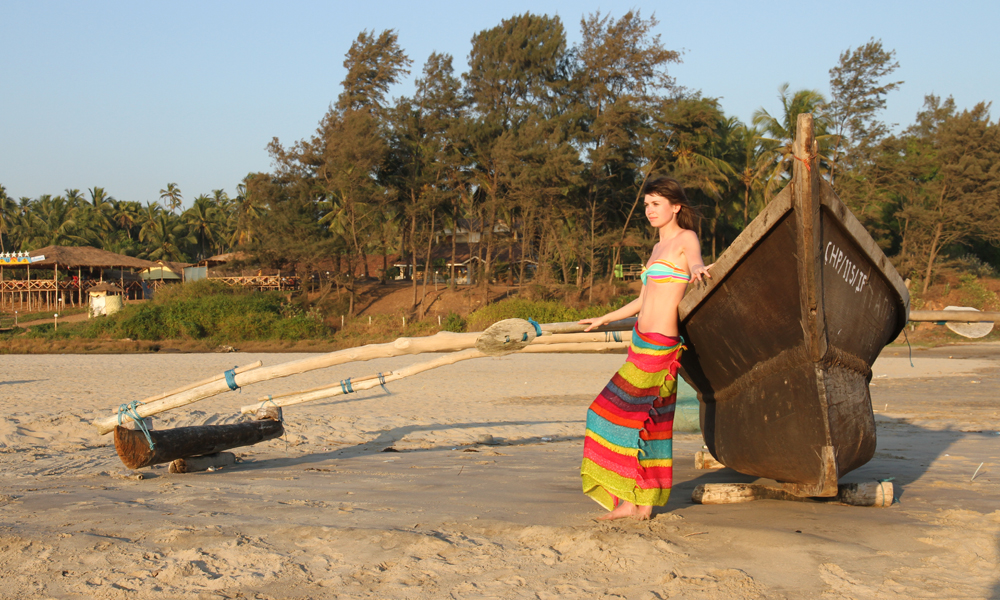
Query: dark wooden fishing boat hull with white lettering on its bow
[{"x": 782, "y": 339}]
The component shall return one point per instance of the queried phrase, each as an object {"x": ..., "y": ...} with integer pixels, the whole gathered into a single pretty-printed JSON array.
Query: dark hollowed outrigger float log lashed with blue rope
[{"x": 182, "y": 442}]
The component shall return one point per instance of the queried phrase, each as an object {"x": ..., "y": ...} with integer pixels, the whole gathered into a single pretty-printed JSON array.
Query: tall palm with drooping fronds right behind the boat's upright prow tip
[{"x": 782, "y": 131}]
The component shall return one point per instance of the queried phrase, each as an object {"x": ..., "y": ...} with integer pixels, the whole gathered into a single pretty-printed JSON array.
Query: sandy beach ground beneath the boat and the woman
[{"x": 327, "y": 512}]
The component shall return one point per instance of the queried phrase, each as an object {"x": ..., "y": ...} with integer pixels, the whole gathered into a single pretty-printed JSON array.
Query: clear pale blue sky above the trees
[{"x": 132, "y": 95}]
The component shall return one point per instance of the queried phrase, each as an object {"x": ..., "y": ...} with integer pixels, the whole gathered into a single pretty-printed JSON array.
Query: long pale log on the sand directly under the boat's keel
[{"x": 871, "y": 493}]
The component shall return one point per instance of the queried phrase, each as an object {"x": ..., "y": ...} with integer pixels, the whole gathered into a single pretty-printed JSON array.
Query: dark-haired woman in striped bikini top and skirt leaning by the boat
[{"x": 627, "y": 452}]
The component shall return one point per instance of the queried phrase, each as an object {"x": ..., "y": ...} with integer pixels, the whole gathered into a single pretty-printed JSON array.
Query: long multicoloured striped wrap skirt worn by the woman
[{"x": 628, "y": 449}]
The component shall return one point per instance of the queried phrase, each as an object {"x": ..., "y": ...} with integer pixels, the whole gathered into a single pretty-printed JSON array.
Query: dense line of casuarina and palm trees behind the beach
[{"x": 551, "y": 143}]
